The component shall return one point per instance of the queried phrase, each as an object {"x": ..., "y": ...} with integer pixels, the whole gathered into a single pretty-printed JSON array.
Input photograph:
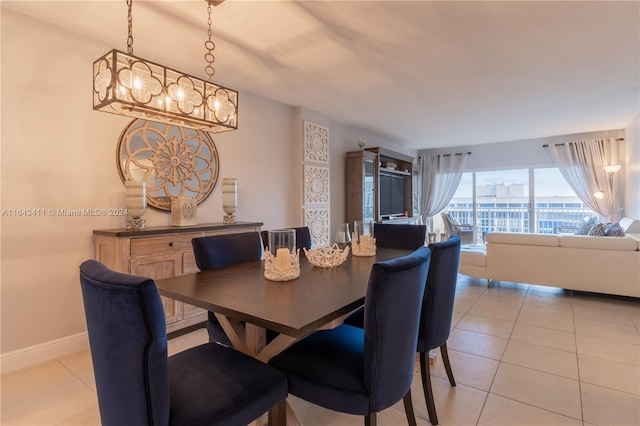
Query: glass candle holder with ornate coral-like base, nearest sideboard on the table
[{"x": 281, "y": 258}]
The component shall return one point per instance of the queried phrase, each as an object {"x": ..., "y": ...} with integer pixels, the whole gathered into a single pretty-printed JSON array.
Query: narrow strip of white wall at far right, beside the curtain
[{"x": 632, "y": 169}]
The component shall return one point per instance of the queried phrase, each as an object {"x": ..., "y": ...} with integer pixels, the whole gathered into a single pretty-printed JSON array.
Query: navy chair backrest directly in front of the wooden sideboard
[{"x": 218, "y": 251}]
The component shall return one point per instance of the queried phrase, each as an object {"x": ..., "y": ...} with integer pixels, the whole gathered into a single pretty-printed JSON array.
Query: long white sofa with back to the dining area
[{"x": 609, "y": 265}]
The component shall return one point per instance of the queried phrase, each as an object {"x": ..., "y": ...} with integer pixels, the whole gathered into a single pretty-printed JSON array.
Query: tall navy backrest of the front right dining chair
[{"x": 391, "y": 318}]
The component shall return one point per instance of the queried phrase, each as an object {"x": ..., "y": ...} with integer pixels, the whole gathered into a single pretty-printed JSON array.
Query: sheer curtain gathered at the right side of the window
[{"x": 582, "y": 165}]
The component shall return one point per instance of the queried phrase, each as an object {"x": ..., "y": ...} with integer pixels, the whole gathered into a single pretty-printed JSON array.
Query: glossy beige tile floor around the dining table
[{"x": 521, "y": 355}]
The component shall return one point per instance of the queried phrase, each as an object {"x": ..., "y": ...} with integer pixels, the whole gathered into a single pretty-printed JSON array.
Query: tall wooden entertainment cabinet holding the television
[{"x": 379, "y": 186}]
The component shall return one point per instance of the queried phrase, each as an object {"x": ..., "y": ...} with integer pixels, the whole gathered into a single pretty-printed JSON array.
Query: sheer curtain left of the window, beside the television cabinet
[{"x": 440, "y": 177}]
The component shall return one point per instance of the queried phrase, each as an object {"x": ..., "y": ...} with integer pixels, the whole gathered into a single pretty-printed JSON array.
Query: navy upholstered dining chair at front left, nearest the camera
[{"x": 138, "y": 385}]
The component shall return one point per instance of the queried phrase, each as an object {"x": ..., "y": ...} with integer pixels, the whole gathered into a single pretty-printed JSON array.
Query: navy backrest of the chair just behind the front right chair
[{"x": 439, "y": 295}]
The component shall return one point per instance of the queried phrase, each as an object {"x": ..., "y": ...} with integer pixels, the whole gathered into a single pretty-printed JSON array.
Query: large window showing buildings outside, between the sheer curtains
[{"x": 522, "y": 200}]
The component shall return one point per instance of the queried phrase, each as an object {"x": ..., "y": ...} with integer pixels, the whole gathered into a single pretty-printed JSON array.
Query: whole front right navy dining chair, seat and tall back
[{"x": 364, "y": 371}]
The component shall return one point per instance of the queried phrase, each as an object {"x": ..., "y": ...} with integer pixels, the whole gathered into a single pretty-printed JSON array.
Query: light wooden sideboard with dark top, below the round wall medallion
[{"x": 161, "y": 252}]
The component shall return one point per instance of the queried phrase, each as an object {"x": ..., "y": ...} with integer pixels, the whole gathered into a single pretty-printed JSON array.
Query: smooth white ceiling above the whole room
[{"x": 424, "y": 73}]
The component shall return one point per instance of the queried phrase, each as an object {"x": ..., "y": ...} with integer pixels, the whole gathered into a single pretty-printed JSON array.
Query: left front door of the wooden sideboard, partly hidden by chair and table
[{"x": 158, "y": 267}]
